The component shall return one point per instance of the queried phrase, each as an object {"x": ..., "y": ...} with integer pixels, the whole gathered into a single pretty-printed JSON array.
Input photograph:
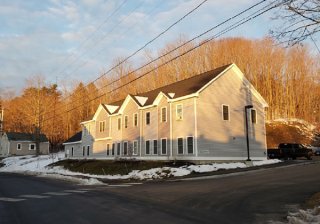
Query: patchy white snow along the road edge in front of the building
[{"x": 38, "y": 165}]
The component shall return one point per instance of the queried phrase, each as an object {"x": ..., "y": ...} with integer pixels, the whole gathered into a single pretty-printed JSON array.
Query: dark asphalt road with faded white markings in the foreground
[{"x": 248, "y": 197}]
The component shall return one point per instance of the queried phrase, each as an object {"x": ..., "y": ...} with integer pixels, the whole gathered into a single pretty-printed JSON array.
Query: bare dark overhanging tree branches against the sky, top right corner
[{"x": 301, "y": 19}]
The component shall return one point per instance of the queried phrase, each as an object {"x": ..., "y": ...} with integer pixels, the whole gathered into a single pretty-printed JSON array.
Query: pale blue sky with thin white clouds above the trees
[{"x": 67, "y": 40}]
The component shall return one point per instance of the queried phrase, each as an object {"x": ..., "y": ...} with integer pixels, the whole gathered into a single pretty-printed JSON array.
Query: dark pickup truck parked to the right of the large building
[{"x": 290, "y": 150}]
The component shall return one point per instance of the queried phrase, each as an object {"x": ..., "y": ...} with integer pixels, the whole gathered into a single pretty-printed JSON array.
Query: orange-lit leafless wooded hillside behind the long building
[{"x": 289, "y": 80}]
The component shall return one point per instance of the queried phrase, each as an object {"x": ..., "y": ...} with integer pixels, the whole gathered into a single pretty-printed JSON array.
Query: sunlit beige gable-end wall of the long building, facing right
[{"x": 222, "y": 139}]
